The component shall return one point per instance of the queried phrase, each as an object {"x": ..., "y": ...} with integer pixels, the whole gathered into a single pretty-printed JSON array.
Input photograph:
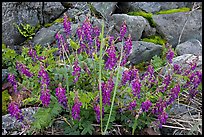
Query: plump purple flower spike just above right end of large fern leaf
[{"x": 61, "y": 95}]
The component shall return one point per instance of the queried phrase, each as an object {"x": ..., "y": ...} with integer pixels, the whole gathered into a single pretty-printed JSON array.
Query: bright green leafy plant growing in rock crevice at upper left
[{"x": 27, "y": 30}]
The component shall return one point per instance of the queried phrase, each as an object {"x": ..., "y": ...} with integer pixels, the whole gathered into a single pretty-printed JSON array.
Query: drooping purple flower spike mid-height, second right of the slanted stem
[{"x": 136, "y": 87}]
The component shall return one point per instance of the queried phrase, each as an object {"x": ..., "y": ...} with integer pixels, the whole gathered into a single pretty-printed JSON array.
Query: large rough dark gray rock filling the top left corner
[{"x": 18, "y": 12}]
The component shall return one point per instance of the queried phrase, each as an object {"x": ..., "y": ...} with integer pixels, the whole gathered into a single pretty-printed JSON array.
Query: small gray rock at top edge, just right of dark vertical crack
[{"x": 52, "y": 11}]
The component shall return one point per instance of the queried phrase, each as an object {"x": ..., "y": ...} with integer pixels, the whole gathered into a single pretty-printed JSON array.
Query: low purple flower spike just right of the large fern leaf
[{"x": 76, "y": 109}]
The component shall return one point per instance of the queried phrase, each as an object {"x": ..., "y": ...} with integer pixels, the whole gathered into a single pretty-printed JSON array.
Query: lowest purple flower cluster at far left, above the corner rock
[{"x": 13, "y": 109}]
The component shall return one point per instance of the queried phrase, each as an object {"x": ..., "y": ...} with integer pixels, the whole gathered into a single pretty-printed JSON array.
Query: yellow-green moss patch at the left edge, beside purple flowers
[{"x": 5, "y": 101}]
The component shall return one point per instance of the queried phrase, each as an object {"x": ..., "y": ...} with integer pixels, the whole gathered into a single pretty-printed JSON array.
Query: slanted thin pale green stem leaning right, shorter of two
[{"x": 115, "y": 88}]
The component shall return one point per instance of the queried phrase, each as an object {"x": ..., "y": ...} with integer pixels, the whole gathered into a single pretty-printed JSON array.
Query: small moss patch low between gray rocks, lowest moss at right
[{"x": 155, "y": 39}]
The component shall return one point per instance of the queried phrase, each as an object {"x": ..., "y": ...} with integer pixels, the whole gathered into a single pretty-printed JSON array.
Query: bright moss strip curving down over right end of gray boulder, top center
[{"x": 146, "y": 15}]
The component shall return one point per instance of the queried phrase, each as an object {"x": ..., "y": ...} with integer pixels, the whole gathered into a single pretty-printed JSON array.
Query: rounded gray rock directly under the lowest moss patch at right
[{"x": 142, "y": 51}]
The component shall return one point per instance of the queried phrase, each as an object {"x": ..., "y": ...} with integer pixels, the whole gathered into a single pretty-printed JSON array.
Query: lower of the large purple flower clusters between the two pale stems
[{"x": 106, "y": 91}]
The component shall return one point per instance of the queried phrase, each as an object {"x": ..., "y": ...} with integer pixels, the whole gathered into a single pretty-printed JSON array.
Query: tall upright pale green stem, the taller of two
[{"x": 100, "y": 67}]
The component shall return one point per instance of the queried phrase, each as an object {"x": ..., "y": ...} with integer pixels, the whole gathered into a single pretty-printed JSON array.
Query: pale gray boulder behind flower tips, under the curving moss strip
[{"x": 135, "y": 25}]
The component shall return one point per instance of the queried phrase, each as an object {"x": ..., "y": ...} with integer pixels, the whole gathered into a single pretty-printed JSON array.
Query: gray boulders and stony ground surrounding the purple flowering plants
[{"x": 182, "y": 30}]
